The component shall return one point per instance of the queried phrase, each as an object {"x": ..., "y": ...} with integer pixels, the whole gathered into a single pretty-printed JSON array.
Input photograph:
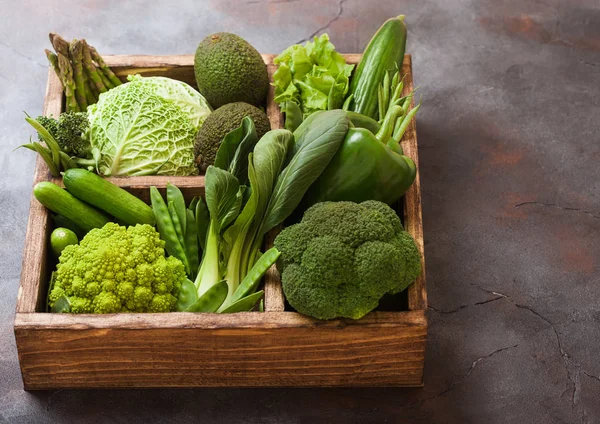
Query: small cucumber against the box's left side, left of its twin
[{"x": 64, "y": 203}]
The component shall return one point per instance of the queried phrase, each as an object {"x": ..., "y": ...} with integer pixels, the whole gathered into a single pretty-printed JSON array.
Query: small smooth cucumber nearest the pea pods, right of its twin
[{"x": 103, "y": 194}]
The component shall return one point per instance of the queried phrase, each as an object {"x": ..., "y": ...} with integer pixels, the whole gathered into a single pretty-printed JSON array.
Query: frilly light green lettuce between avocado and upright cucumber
[{"x": 314, "y": 76}]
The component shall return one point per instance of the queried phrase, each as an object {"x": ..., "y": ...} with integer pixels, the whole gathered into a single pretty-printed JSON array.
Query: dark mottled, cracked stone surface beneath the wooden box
[{"x": 509, "y": 147}]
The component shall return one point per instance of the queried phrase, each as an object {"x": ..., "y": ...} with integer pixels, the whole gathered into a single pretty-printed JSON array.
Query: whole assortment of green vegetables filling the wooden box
[{"x": 327, "y": 178}]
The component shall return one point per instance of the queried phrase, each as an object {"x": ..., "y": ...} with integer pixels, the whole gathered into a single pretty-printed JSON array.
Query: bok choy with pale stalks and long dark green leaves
[{"x": 252, "y": 188}]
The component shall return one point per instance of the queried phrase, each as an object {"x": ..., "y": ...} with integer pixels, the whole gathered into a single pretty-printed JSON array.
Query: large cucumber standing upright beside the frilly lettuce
[{"x": 385, "y": 52}]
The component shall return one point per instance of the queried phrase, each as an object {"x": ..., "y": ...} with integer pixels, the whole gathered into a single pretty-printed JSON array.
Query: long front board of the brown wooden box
[{"x": 190, "y": 350}]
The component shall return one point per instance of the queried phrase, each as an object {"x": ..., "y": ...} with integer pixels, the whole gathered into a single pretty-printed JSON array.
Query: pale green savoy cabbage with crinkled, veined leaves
[{"x": 139, "y": 132}]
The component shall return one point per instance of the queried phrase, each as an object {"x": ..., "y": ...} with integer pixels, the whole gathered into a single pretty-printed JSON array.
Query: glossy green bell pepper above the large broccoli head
[{"x": 363, "y": 168}]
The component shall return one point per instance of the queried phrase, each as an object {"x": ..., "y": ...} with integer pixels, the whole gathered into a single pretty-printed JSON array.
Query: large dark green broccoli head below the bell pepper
[{"x": 343, "y": 257}]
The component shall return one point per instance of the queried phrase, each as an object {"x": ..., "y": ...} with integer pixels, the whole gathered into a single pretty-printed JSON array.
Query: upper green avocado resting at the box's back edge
[{"x": 228, "y": 69}]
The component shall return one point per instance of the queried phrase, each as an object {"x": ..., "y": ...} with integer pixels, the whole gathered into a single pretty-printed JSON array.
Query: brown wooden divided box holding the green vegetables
[{"x": 276, "y": 347}]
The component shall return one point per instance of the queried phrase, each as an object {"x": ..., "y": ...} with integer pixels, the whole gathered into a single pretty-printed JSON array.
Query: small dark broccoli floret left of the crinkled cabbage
[{"x": 69, "y": 131}]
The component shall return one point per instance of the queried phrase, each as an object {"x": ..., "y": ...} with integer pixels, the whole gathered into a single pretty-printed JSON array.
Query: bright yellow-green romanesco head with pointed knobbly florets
[{"x": 118, "y": 269}]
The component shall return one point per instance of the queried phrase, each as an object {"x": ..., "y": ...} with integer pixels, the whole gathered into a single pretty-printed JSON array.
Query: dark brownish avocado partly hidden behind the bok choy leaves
[{"x": 220, "y": 123}]
